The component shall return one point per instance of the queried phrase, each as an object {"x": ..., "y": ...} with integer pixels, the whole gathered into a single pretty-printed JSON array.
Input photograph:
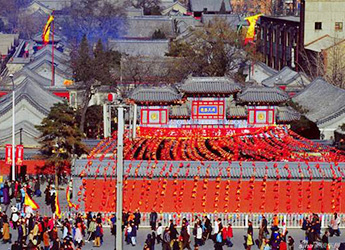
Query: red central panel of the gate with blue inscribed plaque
[{"x": 214, "y": 110}]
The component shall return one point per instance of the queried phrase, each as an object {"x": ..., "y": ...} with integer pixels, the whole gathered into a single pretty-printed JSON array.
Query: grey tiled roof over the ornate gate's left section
[{"x": 163, "y": 94}]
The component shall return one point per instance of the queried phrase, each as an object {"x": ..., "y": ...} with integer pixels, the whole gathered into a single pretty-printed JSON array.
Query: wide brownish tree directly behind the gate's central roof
[{"x": 214, "y": 50}]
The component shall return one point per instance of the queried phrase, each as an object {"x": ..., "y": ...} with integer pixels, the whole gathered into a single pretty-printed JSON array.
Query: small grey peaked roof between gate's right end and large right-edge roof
[{"x": 286, "y": 77}]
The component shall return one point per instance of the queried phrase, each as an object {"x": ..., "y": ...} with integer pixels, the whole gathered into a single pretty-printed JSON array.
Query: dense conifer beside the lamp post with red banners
[{"x": 60, "y": 138}]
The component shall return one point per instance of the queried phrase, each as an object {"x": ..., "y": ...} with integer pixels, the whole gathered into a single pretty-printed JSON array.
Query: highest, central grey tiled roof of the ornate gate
[{"x": 210, "y": 85}]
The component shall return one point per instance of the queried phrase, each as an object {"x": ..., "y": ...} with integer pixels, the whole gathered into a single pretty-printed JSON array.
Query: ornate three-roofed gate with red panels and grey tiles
[{"x": 212, "y": 102}]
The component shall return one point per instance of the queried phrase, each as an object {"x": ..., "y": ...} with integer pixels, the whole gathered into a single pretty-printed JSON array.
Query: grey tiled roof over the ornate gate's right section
[{"x": 261, "y": 94}]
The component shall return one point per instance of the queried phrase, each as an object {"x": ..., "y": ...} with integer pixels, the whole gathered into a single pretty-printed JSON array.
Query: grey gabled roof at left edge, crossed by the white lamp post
[{"x": 34, "y": 93}]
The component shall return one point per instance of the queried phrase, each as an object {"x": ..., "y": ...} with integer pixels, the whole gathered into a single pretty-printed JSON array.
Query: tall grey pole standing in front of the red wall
[{"x": 119, "y": 176}]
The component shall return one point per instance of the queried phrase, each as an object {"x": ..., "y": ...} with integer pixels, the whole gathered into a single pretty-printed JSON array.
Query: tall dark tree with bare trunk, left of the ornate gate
[{"x": 91, "y": 69}]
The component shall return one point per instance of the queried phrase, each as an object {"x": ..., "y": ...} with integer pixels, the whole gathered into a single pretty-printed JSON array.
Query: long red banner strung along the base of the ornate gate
[{"x": 194, "y": 132}]
